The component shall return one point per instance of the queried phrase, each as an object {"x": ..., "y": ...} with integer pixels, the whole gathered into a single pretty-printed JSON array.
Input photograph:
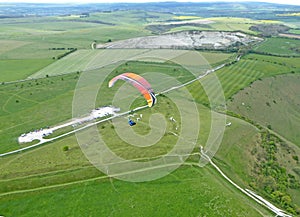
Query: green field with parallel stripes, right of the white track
[{"x": 237, "y": 76}]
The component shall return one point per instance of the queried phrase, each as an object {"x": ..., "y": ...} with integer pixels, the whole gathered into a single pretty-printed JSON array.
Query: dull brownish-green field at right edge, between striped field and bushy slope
[{"x": 272, "y": 102}]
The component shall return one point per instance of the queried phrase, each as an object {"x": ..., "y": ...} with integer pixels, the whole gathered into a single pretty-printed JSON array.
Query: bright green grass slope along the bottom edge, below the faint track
[{"x": 188, "y": 191}]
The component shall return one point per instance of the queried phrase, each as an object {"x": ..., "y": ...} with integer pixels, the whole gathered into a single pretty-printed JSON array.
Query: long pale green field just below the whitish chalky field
[{"x": 84, "y": 60}]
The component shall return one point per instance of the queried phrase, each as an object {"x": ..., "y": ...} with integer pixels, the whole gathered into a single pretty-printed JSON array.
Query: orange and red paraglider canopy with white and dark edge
[{"x": 140, "y": 83}]
